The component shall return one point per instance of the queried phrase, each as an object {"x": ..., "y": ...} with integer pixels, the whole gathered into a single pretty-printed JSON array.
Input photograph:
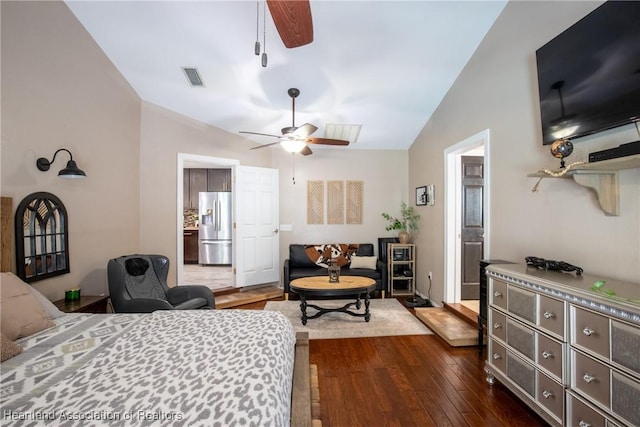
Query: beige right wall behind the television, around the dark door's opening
[{"x": 498, "y": 91}]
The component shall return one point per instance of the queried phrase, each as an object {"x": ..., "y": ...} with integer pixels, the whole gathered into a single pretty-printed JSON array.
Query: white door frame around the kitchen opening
[{"x": 186, "y": 160}]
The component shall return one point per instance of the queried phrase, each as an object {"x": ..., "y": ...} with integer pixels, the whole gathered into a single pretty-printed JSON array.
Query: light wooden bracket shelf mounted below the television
[{"x": 601, "y": 177}]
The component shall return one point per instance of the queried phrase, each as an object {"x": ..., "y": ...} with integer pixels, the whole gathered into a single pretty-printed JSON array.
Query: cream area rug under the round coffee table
[{"x": 388, "y": 318}]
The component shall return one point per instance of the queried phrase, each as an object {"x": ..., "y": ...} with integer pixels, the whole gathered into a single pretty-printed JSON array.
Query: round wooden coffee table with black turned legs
[{"x": 319, "y": 286}]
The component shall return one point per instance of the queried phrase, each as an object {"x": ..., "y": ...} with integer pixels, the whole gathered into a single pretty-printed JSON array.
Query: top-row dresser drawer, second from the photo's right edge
[{"x": 590, "y": 331}]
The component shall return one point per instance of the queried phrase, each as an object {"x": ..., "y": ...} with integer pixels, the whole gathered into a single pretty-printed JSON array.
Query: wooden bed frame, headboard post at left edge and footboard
[{"x": 301, "y": 390}]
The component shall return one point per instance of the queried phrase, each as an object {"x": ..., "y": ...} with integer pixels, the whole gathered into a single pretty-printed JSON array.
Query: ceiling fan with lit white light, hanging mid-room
[{"x": 295, "y": 139}]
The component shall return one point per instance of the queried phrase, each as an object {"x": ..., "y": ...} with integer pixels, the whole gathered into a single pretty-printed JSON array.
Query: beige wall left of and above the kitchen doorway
[{"x": 164, "y": 134}]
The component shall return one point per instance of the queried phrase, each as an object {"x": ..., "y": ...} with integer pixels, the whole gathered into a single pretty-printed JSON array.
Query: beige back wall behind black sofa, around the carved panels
[{"x": 384, "y": 175}]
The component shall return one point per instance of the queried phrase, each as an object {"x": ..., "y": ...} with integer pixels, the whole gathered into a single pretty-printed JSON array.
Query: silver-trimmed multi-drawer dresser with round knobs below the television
[{"x": 570, "y": 352}]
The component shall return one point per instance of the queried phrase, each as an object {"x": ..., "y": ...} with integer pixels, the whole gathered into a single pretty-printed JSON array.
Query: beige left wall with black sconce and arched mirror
[{"x": 60, "y": 91}]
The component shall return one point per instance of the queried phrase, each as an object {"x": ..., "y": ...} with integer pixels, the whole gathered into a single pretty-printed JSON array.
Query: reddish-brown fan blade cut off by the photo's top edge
[{"x": 292, "y": 18}]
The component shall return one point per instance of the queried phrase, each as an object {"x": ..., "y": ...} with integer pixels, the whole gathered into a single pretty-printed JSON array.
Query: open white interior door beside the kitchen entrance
[{"x": 256, "y": 212}]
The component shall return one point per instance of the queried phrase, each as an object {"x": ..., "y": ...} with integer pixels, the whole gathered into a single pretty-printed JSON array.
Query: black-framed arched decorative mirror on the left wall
[{"x": 42, "y": 241}]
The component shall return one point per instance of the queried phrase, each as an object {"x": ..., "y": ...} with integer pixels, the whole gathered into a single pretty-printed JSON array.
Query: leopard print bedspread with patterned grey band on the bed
[{"x": 169, "y": 368}]
